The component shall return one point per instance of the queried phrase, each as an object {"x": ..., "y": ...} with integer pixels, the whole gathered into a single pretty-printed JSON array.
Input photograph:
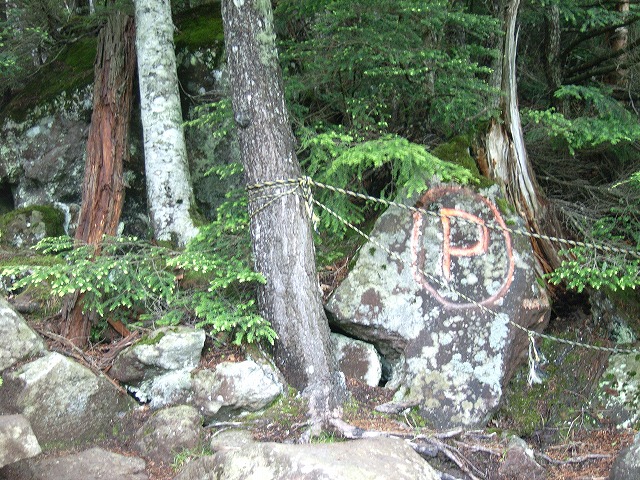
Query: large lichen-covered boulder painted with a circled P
[{"x": 442, "y": 306}]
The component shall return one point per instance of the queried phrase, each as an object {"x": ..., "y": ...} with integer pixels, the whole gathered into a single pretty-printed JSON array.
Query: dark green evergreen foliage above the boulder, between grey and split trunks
[{"x": 379, "y": 66}]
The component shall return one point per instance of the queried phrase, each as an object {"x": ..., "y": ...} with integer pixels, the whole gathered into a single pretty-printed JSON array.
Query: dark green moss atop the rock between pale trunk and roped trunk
[{"x": 199, "y": 28}]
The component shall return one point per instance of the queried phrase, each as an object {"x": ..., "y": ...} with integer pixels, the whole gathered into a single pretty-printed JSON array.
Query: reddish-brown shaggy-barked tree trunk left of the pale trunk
[{"x": 107, "y": 149}]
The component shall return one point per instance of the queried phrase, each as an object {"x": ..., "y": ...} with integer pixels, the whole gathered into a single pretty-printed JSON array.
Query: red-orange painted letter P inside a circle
[{"x": 479, "y": 248}]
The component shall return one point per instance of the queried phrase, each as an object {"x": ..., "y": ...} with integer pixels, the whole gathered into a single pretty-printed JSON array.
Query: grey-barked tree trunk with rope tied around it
[{"x": 280, "y": 228}]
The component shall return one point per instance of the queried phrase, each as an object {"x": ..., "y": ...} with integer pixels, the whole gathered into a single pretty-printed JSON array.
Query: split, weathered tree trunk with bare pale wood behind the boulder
[{"x": 503, "y": 156}]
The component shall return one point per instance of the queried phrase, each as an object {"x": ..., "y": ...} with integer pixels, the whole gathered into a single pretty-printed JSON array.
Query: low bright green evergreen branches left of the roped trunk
[{"x": 210, "y": 283}]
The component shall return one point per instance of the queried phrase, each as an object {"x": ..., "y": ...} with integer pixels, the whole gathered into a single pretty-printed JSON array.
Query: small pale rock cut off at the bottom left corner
[{"x": 17, "y": 440}]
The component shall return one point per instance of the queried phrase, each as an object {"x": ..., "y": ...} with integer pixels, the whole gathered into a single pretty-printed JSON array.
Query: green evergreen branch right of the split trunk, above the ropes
[{"x": 598, "y": 120}]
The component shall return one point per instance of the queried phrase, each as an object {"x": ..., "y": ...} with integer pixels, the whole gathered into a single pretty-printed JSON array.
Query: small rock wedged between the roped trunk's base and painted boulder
[{"x": 357, "y": 359}]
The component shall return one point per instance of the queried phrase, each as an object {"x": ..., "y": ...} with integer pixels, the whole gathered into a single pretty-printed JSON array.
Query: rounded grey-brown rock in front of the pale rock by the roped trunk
[{"x": 169, "y": 432}]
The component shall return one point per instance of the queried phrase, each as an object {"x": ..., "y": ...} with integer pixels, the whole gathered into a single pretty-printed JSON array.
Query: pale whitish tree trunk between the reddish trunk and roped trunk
[{"x": 169, "y": 190}]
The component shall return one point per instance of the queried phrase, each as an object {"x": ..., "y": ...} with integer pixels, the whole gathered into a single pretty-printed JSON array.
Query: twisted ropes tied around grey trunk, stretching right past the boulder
[{"x": 302, "y": 188}]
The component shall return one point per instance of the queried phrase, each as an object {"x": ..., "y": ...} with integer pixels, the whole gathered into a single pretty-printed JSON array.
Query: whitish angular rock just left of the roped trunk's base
[{"x": 234, "y": 388}]
